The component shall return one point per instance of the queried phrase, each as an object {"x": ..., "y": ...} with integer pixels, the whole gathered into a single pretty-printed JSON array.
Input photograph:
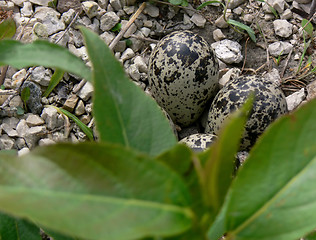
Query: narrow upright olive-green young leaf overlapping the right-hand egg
[{"x": 219, "y": 168}]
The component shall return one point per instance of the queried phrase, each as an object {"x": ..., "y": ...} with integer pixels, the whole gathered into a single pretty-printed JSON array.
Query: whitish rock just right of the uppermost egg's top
[{"x": 228, "y": 51}]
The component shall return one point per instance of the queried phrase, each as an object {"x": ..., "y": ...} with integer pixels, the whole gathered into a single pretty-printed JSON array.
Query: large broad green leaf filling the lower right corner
[{"x": 274, "y": 194}]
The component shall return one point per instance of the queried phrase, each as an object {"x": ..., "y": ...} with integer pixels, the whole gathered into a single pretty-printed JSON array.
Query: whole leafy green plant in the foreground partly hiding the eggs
[{"x": 137, "y": 182}]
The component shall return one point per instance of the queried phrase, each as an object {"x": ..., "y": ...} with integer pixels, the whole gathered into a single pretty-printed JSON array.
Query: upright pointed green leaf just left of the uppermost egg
[{"x": 124, "y": 114}]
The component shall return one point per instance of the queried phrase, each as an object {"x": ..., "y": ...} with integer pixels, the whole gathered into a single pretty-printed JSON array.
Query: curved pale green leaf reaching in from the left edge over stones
[{"x": 41, "y": 53}]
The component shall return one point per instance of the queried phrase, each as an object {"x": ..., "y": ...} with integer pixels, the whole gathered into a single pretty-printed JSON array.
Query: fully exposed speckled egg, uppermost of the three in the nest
[{"x": 183, "y": 75}]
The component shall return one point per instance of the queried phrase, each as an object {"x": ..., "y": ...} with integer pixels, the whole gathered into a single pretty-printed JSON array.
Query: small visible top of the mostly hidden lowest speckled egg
[{"x": 199, "y": 142}]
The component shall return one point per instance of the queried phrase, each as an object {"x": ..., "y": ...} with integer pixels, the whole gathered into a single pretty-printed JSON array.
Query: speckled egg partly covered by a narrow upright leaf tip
[{"x": 269, "y": 104}]
